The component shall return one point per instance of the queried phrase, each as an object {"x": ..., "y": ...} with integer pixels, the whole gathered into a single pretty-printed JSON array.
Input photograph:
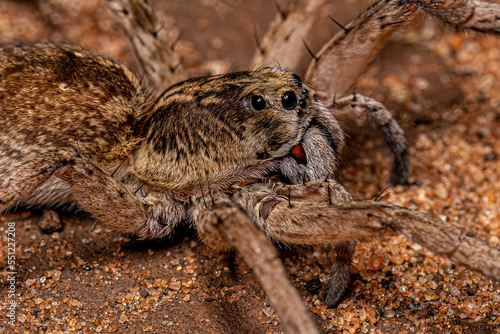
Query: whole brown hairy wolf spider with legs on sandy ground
[{"x": 236, "y": 154}]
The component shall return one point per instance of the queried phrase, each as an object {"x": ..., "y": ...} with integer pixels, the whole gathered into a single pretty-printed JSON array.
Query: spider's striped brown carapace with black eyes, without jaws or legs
[{"x": 230, "y": 127}]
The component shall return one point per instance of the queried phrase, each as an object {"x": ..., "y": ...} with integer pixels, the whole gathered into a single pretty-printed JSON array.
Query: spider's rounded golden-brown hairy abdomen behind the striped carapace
[{"x": 59, "y": 98}]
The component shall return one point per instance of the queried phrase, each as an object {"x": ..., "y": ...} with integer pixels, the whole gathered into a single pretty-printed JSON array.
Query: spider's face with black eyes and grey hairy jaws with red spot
[{"x": 300, "y": 131}]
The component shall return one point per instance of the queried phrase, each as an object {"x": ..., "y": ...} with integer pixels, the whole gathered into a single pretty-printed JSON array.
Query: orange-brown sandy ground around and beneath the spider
[{"x": 442, "y": 86}]
